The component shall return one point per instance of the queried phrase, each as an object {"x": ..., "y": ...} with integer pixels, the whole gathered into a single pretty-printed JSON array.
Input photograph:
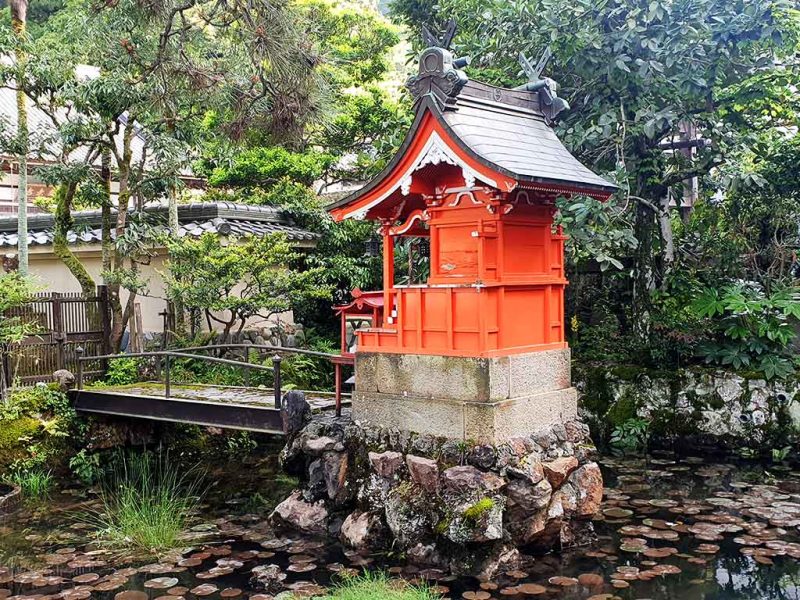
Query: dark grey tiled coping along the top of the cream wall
[{"x": 222, "y": 218}]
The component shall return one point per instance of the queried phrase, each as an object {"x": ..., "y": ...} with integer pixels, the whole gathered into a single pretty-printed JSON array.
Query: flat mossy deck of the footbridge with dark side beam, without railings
[{"x": 251, "y": 409}]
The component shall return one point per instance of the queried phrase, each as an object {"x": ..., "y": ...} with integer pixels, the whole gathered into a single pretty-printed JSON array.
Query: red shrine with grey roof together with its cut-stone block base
[{"x": 478, "y": 351}]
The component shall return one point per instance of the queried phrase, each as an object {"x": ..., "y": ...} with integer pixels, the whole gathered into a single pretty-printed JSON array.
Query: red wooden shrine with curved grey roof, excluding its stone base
[{"x": 478, "y": 173}]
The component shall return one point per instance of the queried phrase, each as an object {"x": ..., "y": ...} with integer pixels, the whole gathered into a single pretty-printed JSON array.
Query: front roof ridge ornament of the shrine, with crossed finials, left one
[{"x": 440, "y": 74}]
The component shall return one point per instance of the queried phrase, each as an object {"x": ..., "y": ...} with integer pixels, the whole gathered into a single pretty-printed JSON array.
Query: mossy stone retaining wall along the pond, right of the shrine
[{"x": 714, "y": 406}]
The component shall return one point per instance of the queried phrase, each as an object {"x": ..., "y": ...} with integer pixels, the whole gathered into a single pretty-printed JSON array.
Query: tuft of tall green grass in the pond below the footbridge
[{"x": 147, "y": 503}]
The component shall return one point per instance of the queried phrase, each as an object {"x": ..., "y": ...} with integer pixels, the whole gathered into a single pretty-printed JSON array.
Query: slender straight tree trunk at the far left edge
[{"x": 19, "y": 12}]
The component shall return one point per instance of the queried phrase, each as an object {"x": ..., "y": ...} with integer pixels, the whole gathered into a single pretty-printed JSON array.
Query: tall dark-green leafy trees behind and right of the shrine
[{"x": 641, "y": 78}]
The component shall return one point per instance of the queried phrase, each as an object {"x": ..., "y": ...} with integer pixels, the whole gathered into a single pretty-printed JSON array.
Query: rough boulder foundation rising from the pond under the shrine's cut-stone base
[{"x": 449, "y": 504}]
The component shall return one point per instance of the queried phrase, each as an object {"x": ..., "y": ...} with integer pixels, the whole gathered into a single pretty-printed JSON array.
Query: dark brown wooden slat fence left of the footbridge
[{"x": 64, "y": 322}]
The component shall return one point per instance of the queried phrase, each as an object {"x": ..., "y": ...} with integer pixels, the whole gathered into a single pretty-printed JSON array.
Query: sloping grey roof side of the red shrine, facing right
[{"x": 507, "y": 131}]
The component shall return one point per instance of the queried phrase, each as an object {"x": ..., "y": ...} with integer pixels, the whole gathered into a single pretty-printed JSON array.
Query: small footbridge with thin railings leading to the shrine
[{"x": 247, "y": 408}]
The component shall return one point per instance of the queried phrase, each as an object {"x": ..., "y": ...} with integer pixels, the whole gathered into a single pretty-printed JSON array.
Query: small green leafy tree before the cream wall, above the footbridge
[{"x": 257, "y": 277}]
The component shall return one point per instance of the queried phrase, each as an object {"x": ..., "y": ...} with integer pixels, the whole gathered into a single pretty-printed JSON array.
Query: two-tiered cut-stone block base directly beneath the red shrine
[{"x": 482, "y": 400}]
